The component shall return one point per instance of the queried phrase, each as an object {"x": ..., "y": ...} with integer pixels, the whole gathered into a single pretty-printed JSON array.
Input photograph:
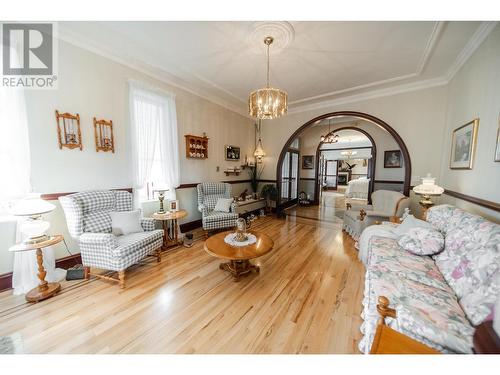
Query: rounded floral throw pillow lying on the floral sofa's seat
[{"x": 422, "y": 241}]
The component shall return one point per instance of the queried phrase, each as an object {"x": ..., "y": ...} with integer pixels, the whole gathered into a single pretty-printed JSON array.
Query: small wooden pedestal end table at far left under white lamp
[{"x": 45, "y": 289}]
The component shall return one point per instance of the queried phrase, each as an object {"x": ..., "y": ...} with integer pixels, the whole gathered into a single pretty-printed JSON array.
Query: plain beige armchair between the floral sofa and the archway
[{"x": 385, "y": 205}]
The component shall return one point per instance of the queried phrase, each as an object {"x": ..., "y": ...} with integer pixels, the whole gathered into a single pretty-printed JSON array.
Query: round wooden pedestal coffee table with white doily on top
[{"x": 238, "y": 256}]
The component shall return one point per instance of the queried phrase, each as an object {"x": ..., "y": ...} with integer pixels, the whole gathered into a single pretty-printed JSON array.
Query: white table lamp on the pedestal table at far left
[{"x": 34, "y": 228}]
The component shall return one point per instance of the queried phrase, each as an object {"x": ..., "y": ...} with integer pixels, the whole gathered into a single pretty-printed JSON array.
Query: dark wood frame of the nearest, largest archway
[{"x": 360, "y": 115}]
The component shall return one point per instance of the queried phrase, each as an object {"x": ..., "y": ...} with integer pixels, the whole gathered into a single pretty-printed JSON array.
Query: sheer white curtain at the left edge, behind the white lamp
[{"x": 15, "y": 169}]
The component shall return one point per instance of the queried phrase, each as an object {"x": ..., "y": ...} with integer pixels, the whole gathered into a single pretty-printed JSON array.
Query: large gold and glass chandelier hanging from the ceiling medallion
[{"x": 268, "y": 103}]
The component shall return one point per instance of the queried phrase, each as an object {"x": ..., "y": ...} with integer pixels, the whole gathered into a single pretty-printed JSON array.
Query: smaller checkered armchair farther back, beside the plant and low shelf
[{"x": 208, "y": 193}]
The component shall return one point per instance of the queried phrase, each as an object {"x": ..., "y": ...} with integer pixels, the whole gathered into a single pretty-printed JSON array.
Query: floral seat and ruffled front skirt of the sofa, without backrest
[{"x": 427, "y": 308}]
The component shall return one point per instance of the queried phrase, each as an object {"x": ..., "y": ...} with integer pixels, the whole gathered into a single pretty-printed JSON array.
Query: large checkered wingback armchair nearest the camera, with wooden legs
[{"x": 89, "y": 223}]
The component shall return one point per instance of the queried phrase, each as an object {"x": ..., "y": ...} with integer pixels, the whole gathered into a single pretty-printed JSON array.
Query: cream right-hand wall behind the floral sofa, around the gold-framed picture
[{"x": 474, "y": 92}]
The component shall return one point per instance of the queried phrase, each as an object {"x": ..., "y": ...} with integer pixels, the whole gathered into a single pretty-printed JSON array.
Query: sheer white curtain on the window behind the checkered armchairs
[{"x": 153, "y": 120}]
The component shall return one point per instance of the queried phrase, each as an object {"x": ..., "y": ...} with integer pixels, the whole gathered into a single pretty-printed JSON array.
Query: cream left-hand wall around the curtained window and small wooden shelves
[{"x": 92, "y": 85}]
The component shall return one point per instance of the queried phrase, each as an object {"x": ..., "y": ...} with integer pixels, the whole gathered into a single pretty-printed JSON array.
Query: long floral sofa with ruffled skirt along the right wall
[{"x": 438, "y": 300}]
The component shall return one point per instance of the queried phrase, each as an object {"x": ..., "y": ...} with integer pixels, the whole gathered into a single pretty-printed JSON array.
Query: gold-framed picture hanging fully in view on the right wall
[{"x": 463, "y": 144}]
